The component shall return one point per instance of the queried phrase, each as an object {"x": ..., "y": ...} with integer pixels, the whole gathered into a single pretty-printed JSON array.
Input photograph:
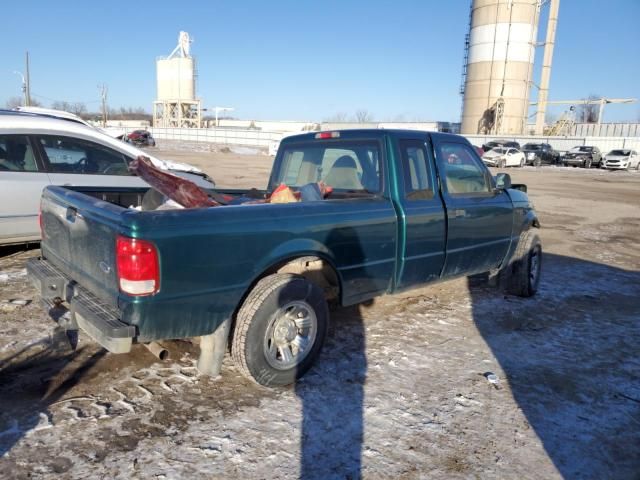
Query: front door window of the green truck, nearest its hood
[{"x": 462, "y": 172}]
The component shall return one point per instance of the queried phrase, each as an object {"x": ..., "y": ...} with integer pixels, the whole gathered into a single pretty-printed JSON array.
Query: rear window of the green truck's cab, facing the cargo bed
[{"x": 351, "y": 166}]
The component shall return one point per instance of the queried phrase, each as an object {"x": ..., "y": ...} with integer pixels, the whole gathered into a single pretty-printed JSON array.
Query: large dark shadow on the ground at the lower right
[{"x": 569, "y": 357}]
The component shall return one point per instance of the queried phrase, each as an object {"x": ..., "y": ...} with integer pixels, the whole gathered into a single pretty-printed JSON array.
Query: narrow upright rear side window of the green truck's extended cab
[{"x": 418, "y": 184}]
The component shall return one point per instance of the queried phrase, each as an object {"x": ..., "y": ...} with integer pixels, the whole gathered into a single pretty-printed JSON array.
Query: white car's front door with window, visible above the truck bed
[{"x": 75, "y": 162}]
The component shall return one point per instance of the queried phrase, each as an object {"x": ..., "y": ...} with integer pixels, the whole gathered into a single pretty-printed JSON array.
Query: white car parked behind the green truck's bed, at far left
[{"x": 39, "y": 150}]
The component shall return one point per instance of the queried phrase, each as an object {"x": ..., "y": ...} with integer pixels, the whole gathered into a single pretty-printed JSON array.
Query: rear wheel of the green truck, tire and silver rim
[{"x": 280, "y": 330}]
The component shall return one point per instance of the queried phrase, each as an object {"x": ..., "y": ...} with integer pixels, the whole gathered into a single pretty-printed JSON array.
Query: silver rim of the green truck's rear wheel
[{"x": 290, "y": 335}]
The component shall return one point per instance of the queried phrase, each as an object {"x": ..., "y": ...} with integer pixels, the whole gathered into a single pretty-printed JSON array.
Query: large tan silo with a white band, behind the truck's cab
[{"x": 499, "y": 66}]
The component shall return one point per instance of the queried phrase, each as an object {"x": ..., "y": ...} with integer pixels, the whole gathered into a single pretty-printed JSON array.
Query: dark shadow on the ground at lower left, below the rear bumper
[{"x": 33, "y": 379}]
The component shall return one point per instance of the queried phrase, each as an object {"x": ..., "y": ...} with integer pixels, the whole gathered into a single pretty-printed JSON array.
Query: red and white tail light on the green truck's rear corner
[{"x": 137, "y": 266}]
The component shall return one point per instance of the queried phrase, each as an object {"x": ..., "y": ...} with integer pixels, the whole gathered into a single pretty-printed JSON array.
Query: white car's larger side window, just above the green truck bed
[{"x": 71, "y": 155}]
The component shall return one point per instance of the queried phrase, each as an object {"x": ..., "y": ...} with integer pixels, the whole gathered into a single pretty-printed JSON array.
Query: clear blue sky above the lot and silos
[{"x": 302, "y": 60}]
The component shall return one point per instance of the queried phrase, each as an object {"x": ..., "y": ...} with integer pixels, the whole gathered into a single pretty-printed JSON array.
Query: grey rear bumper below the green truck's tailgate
[{"x": 96, "y": 318}]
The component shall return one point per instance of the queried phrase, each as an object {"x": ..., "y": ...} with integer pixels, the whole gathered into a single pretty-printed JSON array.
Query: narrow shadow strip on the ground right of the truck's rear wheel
[{"x": 332, "y": 396}]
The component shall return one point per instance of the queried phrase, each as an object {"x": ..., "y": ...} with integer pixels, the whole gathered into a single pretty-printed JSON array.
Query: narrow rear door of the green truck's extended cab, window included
[{"x": 422, "y": 250}]
